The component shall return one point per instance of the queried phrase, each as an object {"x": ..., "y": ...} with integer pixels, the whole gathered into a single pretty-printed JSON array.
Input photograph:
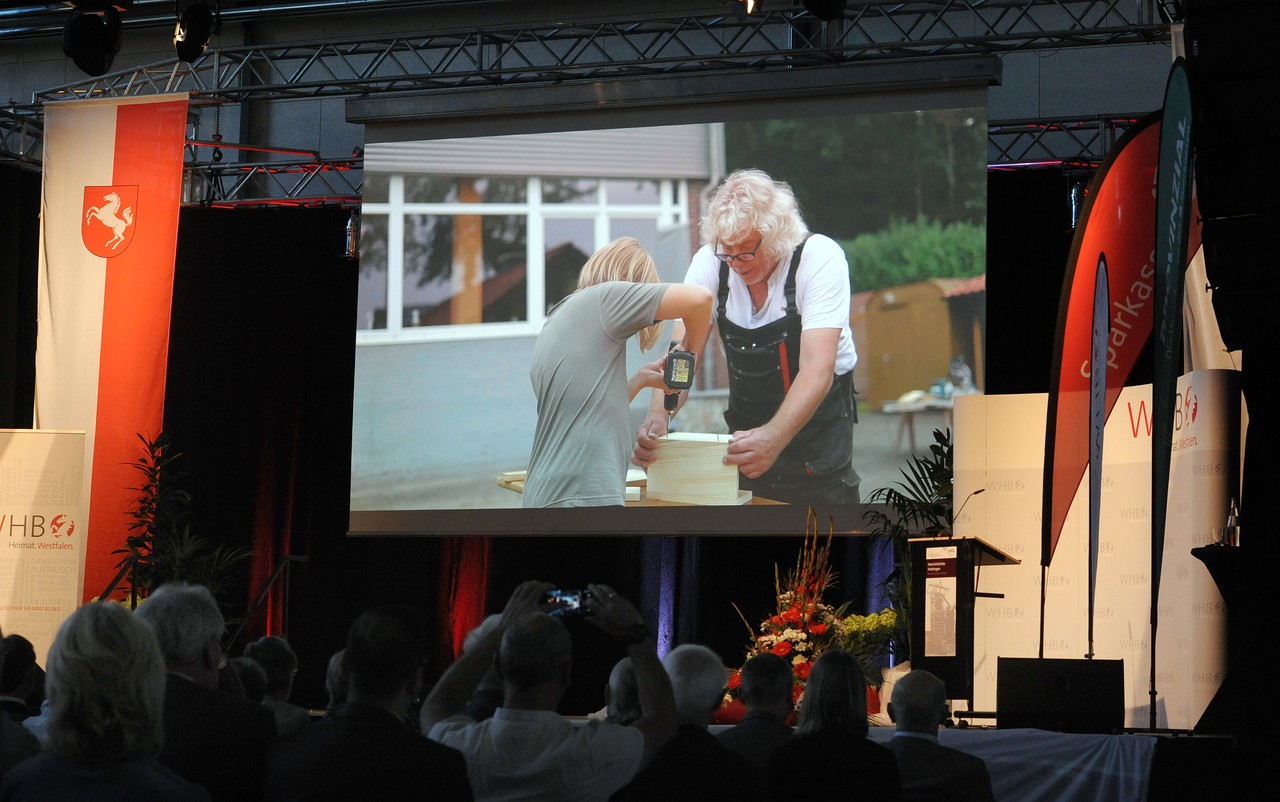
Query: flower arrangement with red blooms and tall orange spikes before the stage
[{"x": 804, "y": 626}]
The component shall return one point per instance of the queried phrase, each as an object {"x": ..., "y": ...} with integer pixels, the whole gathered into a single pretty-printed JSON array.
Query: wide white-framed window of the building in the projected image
[{"x": 459, "y": 250}]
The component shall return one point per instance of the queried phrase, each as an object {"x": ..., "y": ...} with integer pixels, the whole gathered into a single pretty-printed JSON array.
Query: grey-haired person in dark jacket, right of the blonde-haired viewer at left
[{"x": 211, "y": 737}]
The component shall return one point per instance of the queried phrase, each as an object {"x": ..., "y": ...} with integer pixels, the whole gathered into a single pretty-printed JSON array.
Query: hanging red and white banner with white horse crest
[{"x": 109, "y": 235}]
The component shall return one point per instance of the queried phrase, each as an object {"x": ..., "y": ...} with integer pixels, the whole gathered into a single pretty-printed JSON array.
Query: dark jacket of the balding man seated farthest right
[{"x": 934, "y": 773}]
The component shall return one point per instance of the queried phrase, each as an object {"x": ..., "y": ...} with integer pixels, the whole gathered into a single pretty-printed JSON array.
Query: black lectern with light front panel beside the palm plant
[{"x": 944, "y": 589}]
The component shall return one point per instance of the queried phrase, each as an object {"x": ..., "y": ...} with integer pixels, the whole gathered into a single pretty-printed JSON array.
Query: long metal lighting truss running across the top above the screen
[{"x": 550, "y": 54}]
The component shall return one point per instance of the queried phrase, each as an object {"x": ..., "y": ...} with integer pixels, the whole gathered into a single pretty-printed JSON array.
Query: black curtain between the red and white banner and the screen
[{"x": 259, "y": 402}]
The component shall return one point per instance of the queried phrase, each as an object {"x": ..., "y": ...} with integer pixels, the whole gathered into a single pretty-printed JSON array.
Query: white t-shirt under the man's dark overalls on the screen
[{"x": 822, "y": 294}]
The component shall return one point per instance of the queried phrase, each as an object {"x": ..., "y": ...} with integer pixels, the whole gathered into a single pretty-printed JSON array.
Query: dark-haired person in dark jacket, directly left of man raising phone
[{"x": 368, "y": 749}]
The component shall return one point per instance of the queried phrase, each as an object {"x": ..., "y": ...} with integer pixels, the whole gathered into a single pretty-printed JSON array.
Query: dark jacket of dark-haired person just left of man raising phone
[{"x": 365, "y": 753}]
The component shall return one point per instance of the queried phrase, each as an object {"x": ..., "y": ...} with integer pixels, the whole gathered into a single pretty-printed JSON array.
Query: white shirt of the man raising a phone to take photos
[{"x": 538, "y": 755}]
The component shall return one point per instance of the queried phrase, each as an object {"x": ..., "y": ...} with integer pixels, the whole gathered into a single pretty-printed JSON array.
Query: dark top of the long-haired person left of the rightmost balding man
[{"x": 834, "y": 766}]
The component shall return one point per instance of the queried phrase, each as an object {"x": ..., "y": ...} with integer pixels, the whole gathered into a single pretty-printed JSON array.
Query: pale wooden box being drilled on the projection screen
[{"x": 691, "y": 470}]
